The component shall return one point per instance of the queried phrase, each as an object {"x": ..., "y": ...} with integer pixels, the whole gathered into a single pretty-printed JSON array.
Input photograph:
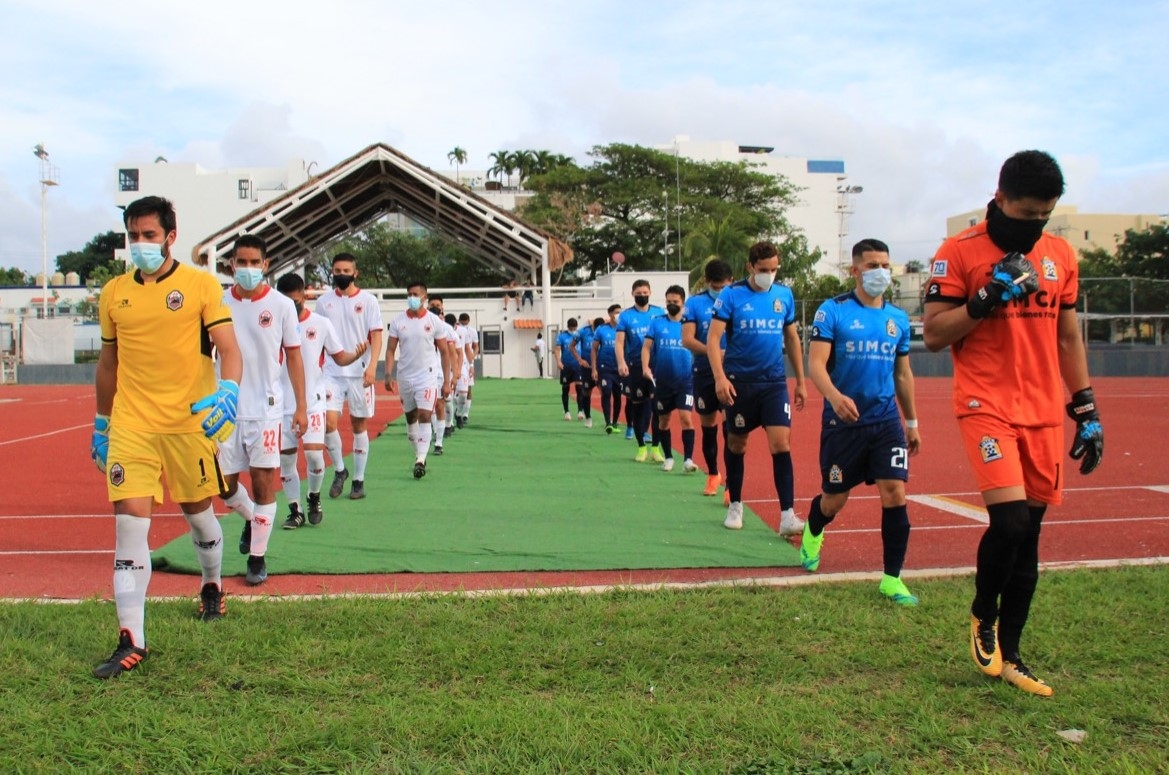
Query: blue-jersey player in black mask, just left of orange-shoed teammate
[{"x": 668, "y": 364}]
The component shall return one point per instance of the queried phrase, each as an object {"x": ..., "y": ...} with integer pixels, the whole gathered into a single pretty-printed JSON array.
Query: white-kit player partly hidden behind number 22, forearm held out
[{"x": 317, "y": 340}]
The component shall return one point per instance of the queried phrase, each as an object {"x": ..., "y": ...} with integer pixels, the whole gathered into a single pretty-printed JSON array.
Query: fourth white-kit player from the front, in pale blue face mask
[{"x": 411, "y": 344}]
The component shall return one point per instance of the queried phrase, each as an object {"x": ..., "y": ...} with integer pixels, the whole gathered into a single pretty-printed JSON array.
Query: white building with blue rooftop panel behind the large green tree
[{"x": 825, "y": 200}]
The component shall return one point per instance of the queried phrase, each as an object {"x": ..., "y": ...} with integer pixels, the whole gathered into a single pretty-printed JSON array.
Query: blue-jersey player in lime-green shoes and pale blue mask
[{"x": 860, "y": 362}]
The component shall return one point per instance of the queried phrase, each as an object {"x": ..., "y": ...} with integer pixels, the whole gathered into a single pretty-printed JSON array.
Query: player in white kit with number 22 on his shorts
[{"x": 266, "y": 329}]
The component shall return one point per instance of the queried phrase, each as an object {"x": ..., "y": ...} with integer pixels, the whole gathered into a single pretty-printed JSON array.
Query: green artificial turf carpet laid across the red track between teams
[{"x": 520, "y": 489}]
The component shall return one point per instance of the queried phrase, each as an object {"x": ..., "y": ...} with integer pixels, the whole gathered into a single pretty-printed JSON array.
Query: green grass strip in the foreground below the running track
[{"x": 746, "y": 680}]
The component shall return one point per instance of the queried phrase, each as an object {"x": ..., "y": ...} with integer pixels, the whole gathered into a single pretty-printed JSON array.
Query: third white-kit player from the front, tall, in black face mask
[{"x": 357, "y": 317}]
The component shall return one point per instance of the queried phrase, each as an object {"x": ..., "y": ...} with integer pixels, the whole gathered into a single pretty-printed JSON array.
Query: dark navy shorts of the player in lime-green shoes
[{"x": 854, "y": 454}]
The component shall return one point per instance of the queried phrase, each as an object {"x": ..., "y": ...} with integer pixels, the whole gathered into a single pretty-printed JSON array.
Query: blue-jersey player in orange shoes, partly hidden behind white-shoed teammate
[{"x": 696, "y": 322}]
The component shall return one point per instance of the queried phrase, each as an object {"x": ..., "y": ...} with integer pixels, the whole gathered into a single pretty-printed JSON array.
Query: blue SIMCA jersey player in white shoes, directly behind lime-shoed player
[{"x": 758, "y": 317}]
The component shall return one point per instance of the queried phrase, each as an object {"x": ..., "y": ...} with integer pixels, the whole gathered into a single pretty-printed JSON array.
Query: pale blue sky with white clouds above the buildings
[{"x": 922, "y": 100}]
